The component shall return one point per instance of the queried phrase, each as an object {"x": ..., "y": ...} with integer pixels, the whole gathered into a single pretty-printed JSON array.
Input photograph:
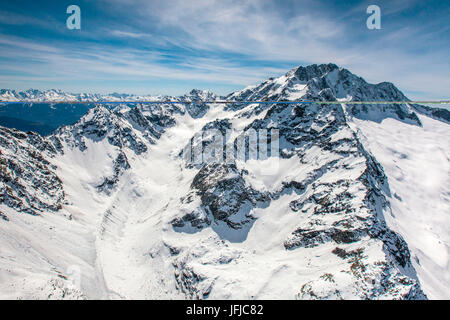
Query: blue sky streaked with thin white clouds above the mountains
[{"x": 170, "y": 47}]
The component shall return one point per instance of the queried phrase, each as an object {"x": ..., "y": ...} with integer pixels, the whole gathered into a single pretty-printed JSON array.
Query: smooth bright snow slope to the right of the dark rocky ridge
[{"x": 417, "y": 163}]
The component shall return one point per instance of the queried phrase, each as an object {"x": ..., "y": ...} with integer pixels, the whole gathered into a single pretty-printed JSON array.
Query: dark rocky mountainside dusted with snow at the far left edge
[{"x": 28, "y": 182}]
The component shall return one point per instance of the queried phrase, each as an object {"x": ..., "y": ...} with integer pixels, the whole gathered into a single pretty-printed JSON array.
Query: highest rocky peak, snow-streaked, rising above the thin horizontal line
[{"x": 329, "y": 82}]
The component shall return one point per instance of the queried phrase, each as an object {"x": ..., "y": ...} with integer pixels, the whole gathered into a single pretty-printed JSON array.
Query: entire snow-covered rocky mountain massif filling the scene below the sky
[{"x": 355, "y": 204}]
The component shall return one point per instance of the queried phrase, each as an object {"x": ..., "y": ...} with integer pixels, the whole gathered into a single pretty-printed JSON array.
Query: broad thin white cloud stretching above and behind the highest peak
[{"x": 259, "y": 30}]
